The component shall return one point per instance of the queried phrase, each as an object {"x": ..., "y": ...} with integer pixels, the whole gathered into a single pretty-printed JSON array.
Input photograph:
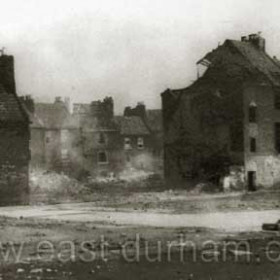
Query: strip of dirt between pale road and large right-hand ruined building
[{"x": 181, "y": 201}]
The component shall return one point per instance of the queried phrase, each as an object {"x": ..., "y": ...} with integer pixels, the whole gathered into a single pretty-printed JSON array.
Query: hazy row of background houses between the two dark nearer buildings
[{"x": 90, "y": 140}]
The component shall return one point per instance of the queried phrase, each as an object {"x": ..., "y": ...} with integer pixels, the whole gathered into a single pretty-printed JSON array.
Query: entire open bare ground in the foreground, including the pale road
[{"x": 118, "y": 221}]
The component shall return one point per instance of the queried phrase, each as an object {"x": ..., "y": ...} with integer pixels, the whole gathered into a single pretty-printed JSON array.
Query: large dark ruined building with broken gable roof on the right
[{"x": 229, "y": 117}]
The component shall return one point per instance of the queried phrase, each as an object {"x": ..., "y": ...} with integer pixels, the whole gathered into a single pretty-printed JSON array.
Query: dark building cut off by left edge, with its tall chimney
[{"x": 14, "y": 138}]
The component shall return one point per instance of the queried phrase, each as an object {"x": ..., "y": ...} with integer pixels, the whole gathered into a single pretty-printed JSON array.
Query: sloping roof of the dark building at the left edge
[{"x": 10, "y": 107}]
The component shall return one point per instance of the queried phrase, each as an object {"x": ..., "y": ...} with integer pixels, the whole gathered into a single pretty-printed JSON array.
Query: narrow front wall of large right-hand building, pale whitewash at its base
[{"x": 265, "y": 161}]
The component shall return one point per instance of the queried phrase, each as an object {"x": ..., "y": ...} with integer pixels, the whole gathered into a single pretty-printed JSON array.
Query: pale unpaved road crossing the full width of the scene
[{"x": 234, "y": 222}]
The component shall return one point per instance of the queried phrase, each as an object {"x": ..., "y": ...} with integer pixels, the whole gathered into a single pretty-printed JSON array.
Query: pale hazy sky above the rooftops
[{"x": 131, "y": 50}]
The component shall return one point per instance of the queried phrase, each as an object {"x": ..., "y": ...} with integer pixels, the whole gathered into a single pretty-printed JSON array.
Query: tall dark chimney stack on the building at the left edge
[{"x": 7, "y": 74}]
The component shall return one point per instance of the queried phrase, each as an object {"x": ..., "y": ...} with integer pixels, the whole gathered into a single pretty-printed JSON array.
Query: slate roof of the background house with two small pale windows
[{"x": 132, "y": 125}]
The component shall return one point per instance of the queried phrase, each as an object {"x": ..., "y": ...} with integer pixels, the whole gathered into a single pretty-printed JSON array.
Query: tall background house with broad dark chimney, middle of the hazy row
[{"x": 100, "y": 137}]
